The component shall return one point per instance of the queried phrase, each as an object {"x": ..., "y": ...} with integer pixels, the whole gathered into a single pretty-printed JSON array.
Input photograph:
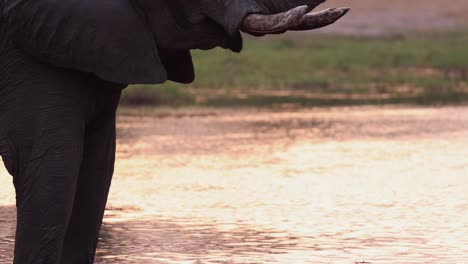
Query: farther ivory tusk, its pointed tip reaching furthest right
[{"x": 321, "y": 19}]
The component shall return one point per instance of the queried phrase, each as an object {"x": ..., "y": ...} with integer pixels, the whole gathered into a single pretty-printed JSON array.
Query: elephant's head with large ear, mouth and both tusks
[{"x": 149, "y": 41}]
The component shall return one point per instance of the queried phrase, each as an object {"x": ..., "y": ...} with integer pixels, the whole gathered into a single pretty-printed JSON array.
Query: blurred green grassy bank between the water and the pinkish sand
[{"x": 323, "y": 70}]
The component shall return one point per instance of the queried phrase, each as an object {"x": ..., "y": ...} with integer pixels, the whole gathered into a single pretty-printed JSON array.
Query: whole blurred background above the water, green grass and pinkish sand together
[{"x": 385, "y": 52}]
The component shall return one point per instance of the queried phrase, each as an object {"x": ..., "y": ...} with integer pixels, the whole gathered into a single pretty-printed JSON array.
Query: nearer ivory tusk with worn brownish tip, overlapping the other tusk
[{"x": 266, "y": 24}]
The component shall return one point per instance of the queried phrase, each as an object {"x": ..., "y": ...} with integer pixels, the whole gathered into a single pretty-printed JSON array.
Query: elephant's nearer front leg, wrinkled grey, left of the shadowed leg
[{"x": 48, "y": 146}]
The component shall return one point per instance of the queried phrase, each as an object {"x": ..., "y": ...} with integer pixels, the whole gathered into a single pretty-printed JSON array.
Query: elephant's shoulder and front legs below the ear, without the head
[{"x": 52, "y": 122}]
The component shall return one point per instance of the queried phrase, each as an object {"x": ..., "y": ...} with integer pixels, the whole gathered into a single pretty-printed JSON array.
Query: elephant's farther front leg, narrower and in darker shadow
[{"x": 93, "y": 183}]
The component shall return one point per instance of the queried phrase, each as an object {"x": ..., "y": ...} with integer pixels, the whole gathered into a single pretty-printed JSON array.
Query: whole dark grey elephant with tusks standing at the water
[{"x": 63, "y": 65}]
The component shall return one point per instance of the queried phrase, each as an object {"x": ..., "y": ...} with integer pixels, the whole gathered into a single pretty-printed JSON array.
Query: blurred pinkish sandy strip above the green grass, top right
[{"x": 374, "y": 17}]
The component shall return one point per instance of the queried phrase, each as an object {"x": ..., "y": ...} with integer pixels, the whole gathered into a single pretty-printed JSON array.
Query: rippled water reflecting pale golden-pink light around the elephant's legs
[{"x": 328, "y": 185}]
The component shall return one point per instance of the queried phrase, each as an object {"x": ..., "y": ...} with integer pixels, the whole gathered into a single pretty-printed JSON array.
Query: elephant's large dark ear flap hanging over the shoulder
[{"x": 106, "y": 37}]
